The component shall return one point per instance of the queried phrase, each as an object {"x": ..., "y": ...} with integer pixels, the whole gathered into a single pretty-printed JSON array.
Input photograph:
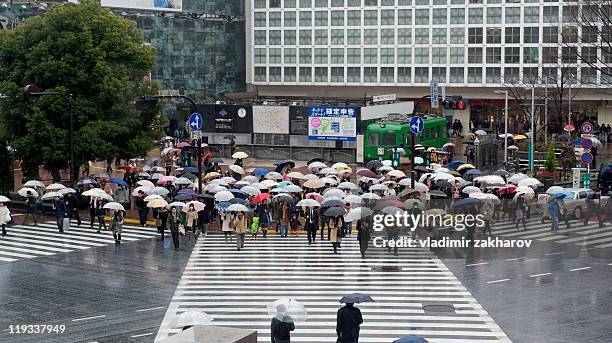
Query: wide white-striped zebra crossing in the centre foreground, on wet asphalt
[{"x": 235, "y": 287}]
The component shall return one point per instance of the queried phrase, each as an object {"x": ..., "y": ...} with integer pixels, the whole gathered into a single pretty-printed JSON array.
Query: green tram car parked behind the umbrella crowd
[{"x": 382, "y": 136}]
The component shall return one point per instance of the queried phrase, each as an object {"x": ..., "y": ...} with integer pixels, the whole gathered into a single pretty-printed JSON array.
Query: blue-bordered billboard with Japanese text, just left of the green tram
[{"x": 332, "y": 123}]
